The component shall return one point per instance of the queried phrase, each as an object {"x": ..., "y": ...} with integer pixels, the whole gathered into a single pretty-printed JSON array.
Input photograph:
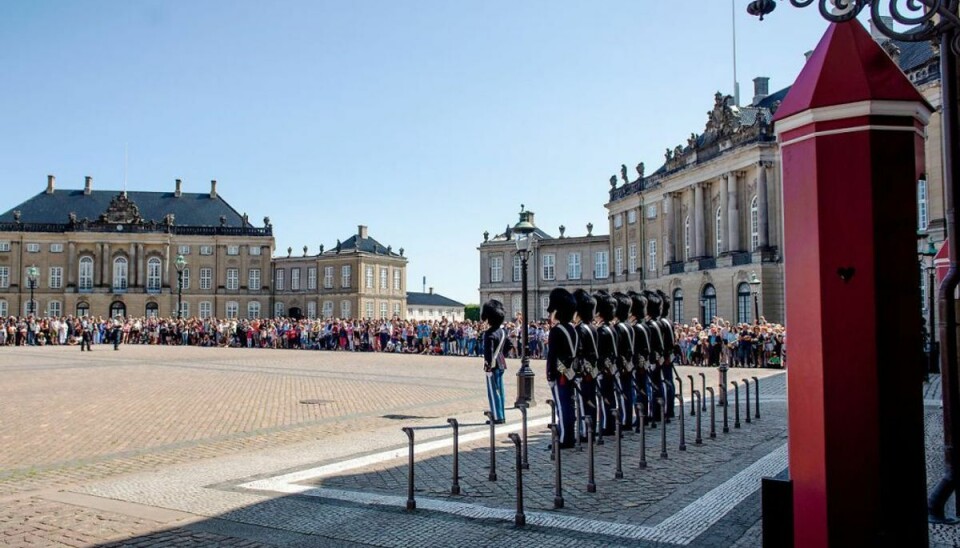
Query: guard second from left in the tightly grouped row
[{"x": 587, "y": 359}]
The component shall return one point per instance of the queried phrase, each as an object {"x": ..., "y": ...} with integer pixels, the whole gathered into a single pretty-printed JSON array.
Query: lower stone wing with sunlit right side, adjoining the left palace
[{"x": 360, "y": 278}]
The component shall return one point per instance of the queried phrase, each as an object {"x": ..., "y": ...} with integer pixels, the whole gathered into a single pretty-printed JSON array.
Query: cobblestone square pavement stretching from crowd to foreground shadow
[{"x": 157, "y": 446}]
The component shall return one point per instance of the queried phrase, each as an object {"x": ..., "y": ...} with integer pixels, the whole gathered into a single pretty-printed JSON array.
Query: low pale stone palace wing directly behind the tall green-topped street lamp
[{"x": 565, "y": 261}]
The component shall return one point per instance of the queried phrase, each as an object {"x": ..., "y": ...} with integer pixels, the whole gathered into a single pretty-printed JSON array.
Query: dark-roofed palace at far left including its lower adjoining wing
[{"x": 103, "y": 252}]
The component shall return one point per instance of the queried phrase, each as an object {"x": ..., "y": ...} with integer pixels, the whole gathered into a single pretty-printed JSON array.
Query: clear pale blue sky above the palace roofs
[{"x": 428, "y": 121}]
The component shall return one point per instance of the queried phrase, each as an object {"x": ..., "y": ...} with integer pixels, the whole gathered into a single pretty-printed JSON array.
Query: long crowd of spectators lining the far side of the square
[{"x": 760, "y": 344}]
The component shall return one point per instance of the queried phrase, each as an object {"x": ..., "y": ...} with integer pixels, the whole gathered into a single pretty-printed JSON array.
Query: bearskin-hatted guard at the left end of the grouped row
[{"x": 562, "y": 345}]
